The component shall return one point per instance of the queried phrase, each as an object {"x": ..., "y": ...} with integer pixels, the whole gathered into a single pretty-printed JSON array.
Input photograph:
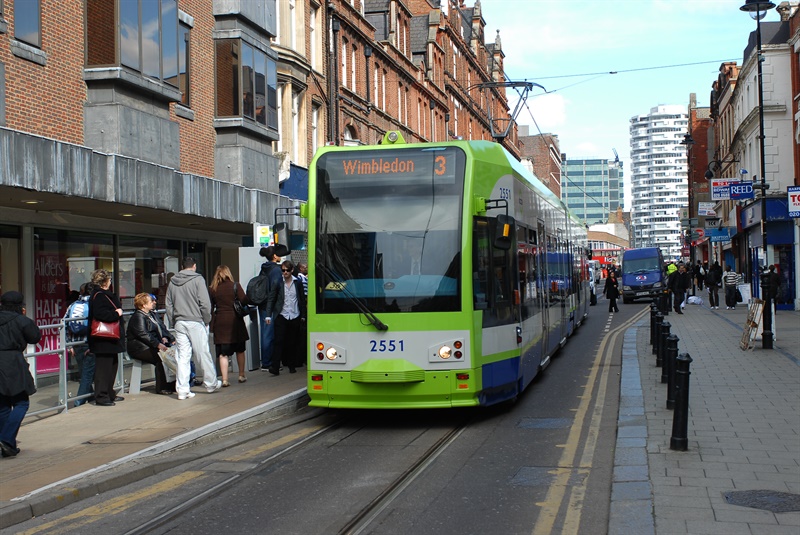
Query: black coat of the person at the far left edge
[{"x": 16, "y": 332}]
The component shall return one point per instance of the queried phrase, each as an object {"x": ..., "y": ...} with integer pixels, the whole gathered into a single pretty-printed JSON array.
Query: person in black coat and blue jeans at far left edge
[{"x": 16, "y": 382}]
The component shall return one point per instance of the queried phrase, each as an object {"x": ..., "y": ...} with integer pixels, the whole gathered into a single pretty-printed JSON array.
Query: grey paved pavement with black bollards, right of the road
[{"x": 741, "y": 470}]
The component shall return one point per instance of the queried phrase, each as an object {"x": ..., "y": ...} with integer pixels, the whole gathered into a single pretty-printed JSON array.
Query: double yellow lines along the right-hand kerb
[{"x": 545, "y": 523}]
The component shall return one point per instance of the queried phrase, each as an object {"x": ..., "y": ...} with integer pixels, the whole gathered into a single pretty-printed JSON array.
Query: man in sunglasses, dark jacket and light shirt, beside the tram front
[{"x": 289, "y": 311}]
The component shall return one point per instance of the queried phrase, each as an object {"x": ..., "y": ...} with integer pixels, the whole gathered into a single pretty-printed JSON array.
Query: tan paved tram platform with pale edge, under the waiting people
[{"x": 61, "y": 451}]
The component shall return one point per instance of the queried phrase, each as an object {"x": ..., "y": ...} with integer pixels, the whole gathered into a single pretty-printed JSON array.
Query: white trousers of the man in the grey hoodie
[{"x": 192, "y": 337}]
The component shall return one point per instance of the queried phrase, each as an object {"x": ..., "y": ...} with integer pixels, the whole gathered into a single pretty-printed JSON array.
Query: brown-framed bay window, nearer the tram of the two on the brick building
[{"x": 247, "y": 83}]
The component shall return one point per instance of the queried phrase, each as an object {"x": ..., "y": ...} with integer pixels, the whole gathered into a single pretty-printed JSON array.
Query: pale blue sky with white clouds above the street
[{"x": 570, "y": 47}]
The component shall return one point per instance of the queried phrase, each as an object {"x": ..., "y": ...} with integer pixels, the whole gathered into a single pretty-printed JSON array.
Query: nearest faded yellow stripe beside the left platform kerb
[{"x": 113, "y": 506}]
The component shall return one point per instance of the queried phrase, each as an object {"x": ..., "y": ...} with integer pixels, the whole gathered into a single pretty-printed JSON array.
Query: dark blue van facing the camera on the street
[{"x": 642, "y": 274}]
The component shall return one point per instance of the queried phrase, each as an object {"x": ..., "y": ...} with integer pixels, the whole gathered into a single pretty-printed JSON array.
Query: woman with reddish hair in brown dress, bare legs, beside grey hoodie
[{"x": 230, "y": 332}]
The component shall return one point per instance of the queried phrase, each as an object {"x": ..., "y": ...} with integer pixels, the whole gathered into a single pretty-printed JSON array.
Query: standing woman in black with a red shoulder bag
[{"x": 104, "y": 305}]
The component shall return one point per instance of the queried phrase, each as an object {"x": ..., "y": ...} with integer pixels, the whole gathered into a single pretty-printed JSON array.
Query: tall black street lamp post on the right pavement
[{"x": 758, "y": 10}]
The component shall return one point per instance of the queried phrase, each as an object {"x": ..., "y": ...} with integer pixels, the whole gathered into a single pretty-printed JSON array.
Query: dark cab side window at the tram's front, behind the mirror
[{"x": 493, "y": 276}]
